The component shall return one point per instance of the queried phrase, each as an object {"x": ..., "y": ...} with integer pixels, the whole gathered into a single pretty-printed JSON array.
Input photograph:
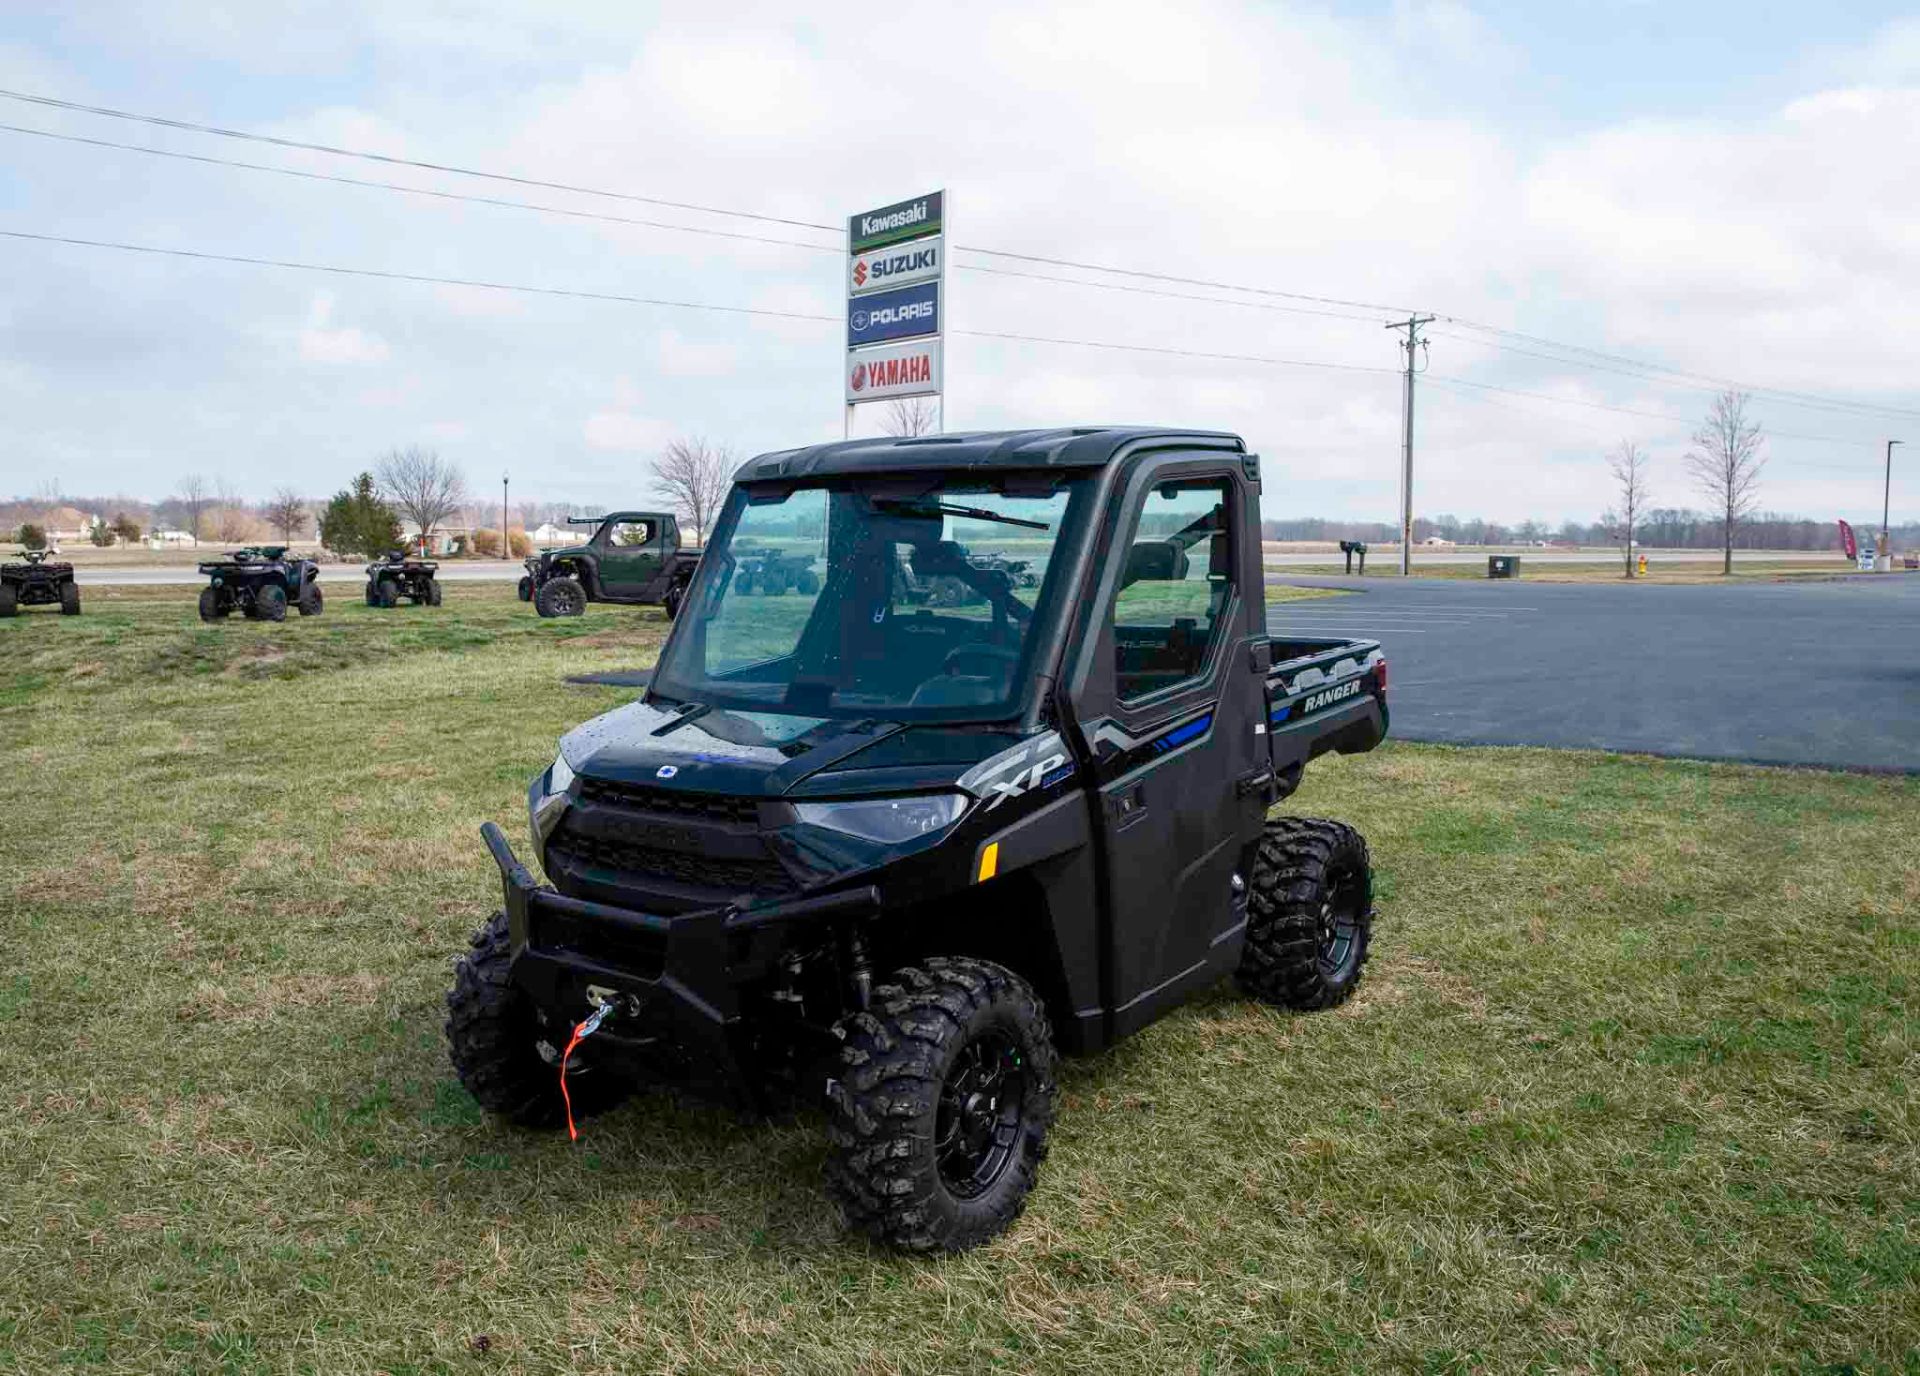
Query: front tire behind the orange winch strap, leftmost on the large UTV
[{"x": 494, "y": 1037}]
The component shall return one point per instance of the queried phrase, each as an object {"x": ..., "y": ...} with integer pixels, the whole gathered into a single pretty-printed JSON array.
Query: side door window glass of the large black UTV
[{"x": 1176, "y": 588}]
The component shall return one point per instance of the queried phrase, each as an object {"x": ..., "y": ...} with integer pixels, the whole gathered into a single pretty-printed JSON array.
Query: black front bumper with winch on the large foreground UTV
[{"x": 675, "y": 982}]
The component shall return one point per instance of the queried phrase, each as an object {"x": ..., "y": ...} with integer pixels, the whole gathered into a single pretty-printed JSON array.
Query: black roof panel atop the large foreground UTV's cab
[{"x": 1078, "y": 448}]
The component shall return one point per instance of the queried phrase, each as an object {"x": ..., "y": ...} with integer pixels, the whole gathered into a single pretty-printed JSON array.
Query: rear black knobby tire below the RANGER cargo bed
[{"x": 1310, "y": 914}]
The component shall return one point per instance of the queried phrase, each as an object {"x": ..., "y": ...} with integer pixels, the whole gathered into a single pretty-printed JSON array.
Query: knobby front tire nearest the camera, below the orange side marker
[{"x": 938, "y": 1118}]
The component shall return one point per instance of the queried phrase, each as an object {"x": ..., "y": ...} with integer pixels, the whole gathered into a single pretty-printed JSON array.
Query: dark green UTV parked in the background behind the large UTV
[{"x": 635, "y": 558}]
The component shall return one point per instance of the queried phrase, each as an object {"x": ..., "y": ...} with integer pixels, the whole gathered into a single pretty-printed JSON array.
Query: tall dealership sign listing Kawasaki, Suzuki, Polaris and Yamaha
[{"x": 896, "y": 304}]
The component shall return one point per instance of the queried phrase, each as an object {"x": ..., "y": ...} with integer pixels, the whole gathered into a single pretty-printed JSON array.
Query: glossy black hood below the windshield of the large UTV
[{"x": 773, "y": 755}]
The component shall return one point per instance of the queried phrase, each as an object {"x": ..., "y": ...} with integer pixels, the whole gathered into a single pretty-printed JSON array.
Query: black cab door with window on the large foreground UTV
[{"x": 1170, "y": 703}]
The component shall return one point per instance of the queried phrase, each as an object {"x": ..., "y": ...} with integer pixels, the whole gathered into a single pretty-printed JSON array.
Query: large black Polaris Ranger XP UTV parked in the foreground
[{"x": 894, "y": 859}]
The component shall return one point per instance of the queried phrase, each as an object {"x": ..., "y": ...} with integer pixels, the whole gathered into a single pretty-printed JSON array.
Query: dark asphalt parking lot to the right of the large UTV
[{"x": 1823, "y": 673}]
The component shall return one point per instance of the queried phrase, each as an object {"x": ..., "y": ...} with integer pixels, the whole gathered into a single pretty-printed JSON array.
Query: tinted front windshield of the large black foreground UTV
[{"x": 901, "y": 598}]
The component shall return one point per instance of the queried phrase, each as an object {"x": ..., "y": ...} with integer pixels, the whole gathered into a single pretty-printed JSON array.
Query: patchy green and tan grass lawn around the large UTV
[{"x": 1629, "y": 1087}]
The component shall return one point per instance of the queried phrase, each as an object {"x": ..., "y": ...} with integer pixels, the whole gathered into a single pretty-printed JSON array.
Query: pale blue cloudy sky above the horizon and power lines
[{"x": 1725, "y": 191}]
